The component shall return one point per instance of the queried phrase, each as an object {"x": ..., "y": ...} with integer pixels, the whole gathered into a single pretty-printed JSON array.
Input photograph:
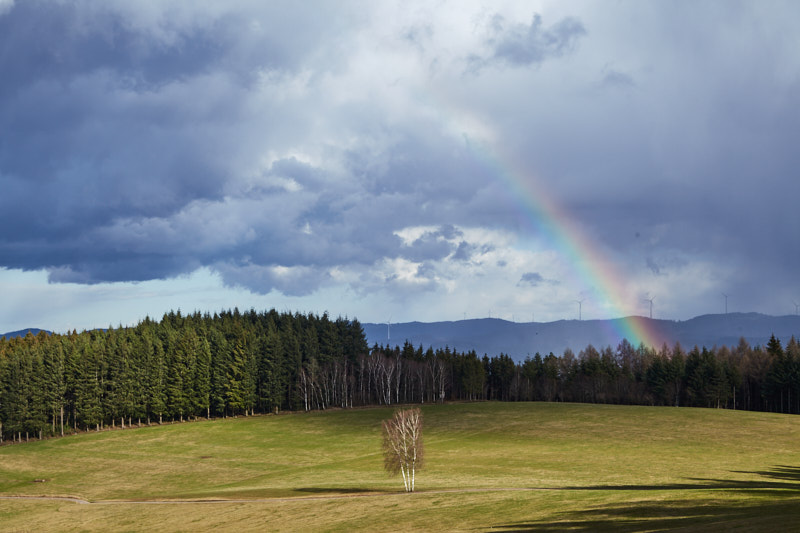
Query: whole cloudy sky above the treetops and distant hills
[{"x": 397, "y": 161}]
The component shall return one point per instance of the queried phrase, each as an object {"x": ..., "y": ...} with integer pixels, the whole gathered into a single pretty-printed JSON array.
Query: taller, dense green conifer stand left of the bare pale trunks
[{"x": 182, "y": 367}]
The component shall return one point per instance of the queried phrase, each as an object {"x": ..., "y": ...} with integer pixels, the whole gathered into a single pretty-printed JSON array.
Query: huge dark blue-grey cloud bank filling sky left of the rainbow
[{"x": 137, "y": 135}]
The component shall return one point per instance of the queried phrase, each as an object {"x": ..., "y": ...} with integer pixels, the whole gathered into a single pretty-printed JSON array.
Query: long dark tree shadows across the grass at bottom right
[{"x": 764, "y": 505}]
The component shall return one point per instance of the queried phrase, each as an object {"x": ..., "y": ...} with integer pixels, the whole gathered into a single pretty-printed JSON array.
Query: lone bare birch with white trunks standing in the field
[{"x": 402, "y": 445}]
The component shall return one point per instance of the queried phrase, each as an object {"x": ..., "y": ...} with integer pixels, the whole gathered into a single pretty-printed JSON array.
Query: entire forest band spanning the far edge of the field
[{"x": 240, "y": 363}]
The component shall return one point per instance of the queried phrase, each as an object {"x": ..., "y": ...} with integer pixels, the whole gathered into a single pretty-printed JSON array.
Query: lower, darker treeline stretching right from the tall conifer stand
[{"x": 741, "y": 377}]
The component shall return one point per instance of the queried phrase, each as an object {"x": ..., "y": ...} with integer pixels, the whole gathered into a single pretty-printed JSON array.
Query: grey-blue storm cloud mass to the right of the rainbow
[{"x": 682, "y": 141}]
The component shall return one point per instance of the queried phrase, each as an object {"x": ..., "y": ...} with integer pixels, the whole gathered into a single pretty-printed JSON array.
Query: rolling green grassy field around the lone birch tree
[{"x": 490, "y": 466}]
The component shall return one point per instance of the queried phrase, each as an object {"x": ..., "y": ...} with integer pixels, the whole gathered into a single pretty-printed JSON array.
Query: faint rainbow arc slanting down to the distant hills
[{"x": 591, "y": 267}]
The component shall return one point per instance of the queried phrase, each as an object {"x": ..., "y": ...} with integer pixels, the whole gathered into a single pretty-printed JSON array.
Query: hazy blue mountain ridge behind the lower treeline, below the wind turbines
[{"x": 493, "y": 336}]
